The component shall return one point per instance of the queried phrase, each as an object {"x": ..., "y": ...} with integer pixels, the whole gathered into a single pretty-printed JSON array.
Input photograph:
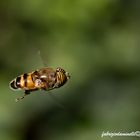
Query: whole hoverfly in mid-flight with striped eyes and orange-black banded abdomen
[{"x": 43, "y": 79}]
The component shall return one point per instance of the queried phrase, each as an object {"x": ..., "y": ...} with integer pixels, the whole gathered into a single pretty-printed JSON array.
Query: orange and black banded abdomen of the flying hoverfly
[{"x": 24, "y": 82}]
